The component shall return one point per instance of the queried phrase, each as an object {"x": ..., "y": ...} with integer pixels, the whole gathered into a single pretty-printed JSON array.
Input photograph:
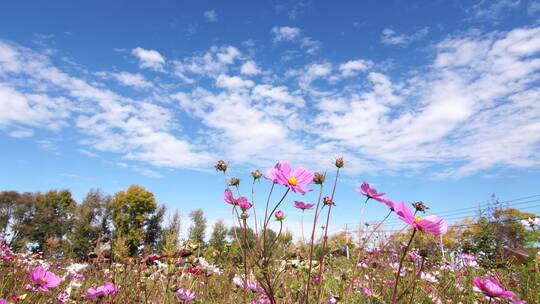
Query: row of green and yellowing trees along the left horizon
[{"x": 55, "y": 224}]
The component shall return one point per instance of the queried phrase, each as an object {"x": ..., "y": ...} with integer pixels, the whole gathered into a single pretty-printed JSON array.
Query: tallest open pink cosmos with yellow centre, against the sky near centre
[{"x": 283, "y": 174}]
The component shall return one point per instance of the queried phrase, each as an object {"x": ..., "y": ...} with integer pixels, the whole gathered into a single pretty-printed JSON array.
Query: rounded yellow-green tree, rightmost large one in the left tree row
[{"x": 131, "y": 210}]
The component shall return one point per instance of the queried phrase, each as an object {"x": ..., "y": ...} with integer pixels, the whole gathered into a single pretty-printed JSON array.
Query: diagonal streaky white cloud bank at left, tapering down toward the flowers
[{"x": 40, "y": 95}]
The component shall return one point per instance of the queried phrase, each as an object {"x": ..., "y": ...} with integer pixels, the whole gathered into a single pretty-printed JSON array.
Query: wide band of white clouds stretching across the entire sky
[{"x": 474, "y": 106}]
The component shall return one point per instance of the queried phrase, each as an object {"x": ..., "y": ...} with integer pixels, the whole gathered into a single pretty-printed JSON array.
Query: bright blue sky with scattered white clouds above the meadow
[{"x": 435, "y": 101}]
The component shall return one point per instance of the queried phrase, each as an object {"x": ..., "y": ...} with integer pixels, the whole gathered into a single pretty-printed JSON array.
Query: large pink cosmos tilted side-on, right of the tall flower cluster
[{"x": 431, "y": 224}]
